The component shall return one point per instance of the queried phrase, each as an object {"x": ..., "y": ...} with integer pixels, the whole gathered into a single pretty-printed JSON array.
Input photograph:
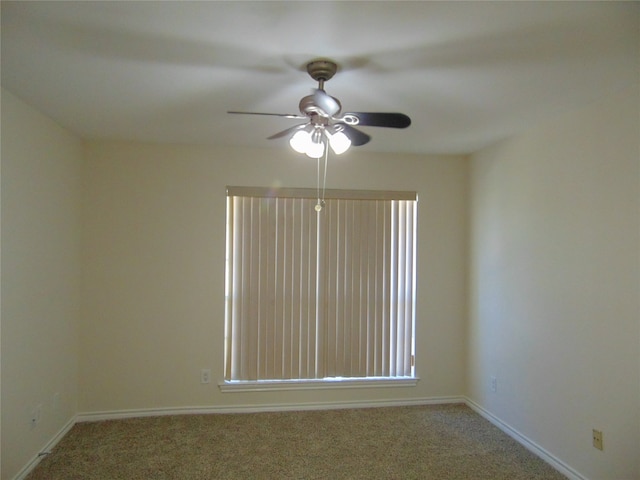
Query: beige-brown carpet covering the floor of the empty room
[{"x": 436, "y": 442}]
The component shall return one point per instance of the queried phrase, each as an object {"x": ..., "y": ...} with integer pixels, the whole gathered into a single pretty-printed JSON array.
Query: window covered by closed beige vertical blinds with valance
[{"x": 319, "y": 295}]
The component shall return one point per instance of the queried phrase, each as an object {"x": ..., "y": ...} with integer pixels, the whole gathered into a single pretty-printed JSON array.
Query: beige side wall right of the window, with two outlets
[{"x": 555, "y": 284}]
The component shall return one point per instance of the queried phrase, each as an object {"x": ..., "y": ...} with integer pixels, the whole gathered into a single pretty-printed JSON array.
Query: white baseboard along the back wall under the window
[{"x": 256, "y": 408}]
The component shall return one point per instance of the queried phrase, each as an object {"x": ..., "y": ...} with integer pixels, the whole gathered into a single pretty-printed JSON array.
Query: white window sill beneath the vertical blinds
[{"x": 321, "y": 384}]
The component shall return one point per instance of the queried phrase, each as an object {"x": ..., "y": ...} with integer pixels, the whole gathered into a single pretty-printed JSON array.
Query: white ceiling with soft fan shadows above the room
[{"x": 467, "y": 73}]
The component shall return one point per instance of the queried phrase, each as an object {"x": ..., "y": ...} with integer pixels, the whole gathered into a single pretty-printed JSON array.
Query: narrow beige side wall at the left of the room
[{"x": 41, "y": 178}]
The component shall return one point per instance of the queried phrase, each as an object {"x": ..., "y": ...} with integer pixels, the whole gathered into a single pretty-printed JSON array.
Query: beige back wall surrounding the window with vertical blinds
[{"x": 154, "y": 219}]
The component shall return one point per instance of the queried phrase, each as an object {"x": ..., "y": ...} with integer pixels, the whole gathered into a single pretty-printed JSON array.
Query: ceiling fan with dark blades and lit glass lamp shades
[{"x": 324, "y": 122}]
